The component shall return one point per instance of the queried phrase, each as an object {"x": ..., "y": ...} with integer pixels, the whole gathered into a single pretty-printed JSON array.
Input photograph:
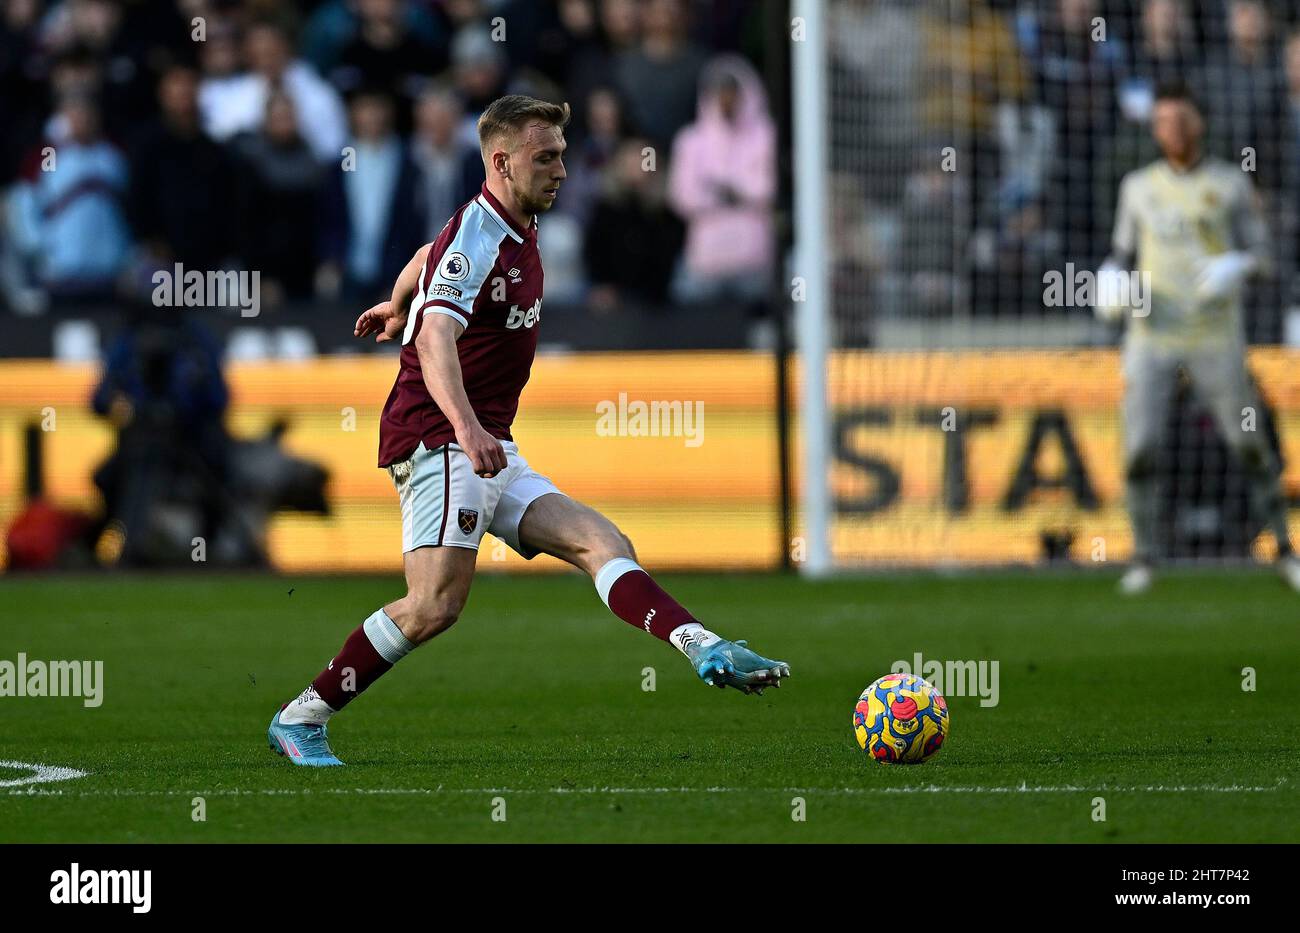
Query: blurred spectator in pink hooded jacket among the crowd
[{"x": 722, "y": 183}]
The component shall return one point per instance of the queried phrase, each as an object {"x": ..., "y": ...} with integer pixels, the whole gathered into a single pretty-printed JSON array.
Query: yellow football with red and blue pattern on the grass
[{"x": 902, "y": 719}]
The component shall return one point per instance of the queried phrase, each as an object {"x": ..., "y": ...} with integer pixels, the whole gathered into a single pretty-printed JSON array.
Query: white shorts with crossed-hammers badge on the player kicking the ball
[{"x": 447, "y": 505}]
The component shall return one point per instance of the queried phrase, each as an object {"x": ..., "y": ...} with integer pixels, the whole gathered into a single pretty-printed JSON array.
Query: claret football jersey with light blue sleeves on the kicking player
[{"x": 486, "y": 272}]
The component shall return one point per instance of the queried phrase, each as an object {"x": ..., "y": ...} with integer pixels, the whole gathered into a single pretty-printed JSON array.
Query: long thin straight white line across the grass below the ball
[{"x": 833, "y": 792}]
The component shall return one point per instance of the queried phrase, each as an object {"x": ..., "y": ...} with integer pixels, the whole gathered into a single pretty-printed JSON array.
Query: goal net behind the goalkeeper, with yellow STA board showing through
[{"x": 972, "y": 160}]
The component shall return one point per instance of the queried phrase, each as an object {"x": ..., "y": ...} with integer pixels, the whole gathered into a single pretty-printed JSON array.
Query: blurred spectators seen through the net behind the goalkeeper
[{"x": 1046, "y": 106}]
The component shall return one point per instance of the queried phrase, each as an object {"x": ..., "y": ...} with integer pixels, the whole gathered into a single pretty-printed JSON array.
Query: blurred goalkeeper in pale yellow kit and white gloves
[{"x": 1191, "y": 225}]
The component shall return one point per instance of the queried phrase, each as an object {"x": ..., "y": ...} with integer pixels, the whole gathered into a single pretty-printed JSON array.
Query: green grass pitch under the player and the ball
[{"x": 538, "y": 698}]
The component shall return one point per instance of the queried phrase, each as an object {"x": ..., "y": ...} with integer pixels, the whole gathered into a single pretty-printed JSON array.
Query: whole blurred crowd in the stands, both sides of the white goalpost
[{"x": 974, "y": 144}]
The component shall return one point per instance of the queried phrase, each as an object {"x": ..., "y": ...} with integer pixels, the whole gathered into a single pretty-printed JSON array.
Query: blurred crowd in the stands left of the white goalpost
[{"x": 322, "y": 142}]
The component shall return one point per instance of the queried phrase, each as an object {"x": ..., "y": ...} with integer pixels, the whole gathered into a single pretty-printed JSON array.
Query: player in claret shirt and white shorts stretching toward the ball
[{"x": 467, "y": 310}]
